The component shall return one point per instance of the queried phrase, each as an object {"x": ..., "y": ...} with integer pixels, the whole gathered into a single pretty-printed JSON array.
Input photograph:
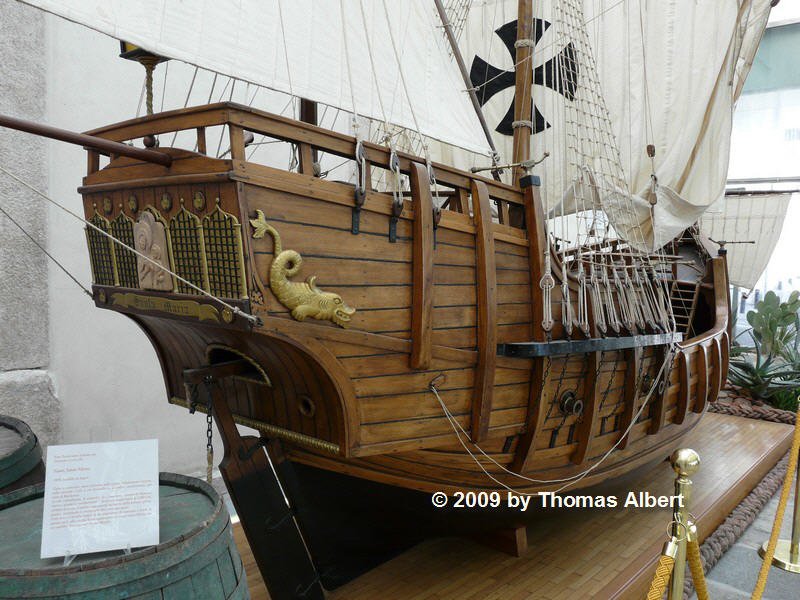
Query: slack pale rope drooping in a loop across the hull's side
[{"x": 568, "y": 481}]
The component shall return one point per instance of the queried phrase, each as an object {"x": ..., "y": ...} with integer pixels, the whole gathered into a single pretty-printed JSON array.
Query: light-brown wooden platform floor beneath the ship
[{"x": 604, "y": 554}]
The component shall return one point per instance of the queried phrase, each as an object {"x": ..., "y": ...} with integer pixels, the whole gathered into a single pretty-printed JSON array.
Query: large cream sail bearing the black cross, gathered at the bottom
[{"x": 664, "y": 74}]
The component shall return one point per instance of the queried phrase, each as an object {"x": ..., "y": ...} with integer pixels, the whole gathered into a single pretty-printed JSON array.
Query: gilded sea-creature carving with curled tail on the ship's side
[{"x": 303, "y": 299}]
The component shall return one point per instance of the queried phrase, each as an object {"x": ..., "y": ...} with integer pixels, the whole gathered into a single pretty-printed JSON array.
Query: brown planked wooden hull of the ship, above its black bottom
[{"x": 436, "y": 297}]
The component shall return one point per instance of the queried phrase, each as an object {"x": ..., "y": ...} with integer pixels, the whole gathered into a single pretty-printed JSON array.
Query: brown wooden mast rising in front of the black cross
[{"x": 523, "y": 125}]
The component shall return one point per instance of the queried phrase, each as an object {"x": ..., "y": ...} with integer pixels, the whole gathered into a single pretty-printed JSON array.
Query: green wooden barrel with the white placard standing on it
[{"x": 196, "y": 558}]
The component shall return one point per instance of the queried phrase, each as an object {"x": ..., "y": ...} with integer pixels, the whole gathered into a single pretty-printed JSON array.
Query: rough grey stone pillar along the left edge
[{"x": 26, "y": 388}]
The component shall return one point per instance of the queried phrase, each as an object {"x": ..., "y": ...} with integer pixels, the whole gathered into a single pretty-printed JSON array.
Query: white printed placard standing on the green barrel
[{"x": 100, "y": 497}]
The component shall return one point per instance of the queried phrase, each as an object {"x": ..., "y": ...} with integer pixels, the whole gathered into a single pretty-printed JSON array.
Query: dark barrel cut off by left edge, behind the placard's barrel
[{"x": 20, "y": 455}]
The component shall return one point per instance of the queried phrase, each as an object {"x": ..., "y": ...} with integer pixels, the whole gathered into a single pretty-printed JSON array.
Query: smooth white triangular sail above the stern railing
[{"x": 308, "y": 48}]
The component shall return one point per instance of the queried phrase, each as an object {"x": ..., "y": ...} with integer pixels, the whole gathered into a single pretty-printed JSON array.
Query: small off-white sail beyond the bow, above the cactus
[{"x": 756, "y": 217}]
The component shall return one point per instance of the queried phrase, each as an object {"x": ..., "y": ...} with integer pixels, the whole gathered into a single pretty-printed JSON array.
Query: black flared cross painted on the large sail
[{"x": 560, "y": 74}]
